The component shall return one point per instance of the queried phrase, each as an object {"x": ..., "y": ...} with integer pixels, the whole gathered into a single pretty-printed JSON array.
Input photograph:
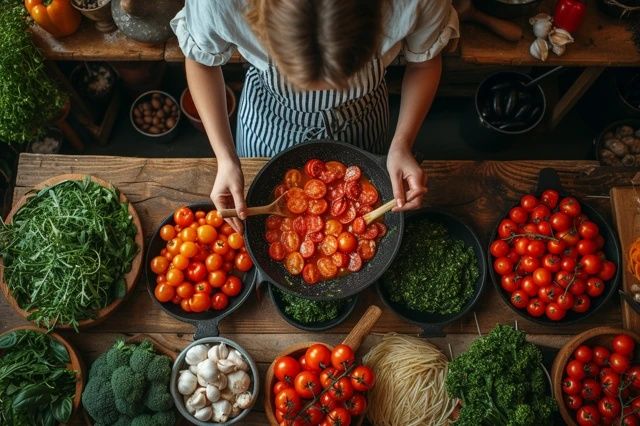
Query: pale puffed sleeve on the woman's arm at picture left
[{"x": 195, "y": 27}]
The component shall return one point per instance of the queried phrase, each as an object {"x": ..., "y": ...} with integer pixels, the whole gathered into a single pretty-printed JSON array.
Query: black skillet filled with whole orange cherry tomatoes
[{"x": 197, "y": 267}]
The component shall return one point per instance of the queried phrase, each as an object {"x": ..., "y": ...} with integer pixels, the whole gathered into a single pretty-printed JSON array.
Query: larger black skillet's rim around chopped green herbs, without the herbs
[{"x": 433, "y": 323}]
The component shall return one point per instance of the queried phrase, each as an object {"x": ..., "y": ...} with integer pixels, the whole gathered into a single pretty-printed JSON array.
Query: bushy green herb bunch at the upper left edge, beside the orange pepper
[{"x": 29, "y": 98}]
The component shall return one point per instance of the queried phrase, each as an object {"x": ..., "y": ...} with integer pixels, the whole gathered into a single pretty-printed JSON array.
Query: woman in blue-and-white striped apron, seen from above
[{"x": 317, "y": 71}]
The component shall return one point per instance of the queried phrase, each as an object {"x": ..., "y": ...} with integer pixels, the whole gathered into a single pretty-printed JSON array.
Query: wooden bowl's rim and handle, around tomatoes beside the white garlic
[{"x": 354, "y": 339}]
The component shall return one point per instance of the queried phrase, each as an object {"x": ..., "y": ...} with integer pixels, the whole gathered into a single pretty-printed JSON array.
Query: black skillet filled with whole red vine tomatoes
[{"x": 553, "y": 258}]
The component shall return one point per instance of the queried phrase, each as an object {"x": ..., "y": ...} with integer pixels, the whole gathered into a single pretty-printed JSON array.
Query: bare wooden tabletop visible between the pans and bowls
[{"x": 476, "y": 191}]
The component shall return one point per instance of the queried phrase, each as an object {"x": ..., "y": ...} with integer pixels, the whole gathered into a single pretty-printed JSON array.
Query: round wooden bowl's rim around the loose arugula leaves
[{"x": 130, "y": 278}]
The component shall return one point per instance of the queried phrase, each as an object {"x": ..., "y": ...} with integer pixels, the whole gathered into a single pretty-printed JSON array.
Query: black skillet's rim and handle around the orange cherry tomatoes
[{"x": 206, "y": 323}]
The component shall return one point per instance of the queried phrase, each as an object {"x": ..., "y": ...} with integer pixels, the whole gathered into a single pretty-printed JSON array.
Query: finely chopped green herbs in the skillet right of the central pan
[{"x": 432, "y": 272}]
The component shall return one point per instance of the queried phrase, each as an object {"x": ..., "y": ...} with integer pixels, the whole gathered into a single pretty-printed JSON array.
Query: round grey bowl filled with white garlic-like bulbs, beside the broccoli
[{"x": 214, "y": 382}]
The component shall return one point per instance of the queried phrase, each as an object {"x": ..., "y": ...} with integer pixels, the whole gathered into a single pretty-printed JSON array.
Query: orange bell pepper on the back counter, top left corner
[{"x": 57, "y": 17}]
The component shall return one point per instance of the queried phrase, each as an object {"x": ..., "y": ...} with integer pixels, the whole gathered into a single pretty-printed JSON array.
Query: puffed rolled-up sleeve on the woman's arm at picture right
[{"x": 435, "y": 25}]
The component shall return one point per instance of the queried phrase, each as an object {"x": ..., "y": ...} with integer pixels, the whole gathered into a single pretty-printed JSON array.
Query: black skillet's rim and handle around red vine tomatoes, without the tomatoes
[{"x": 548, "y": 179}]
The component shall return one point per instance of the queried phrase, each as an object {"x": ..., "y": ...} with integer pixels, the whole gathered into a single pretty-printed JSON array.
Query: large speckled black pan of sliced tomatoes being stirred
[{"x": 323, "y": 249}]
